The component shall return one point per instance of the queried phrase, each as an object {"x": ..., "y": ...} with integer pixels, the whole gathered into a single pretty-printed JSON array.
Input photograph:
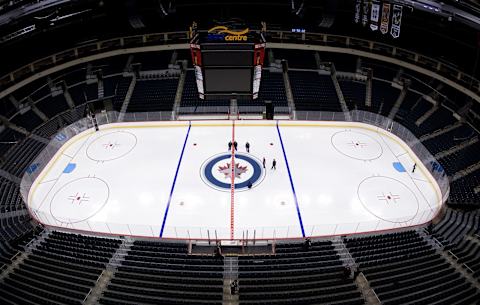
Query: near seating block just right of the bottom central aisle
[{"x": 297, "y": 275}]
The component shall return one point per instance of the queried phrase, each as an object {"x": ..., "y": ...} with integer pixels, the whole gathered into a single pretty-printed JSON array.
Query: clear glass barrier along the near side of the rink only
[{"x": 260, "y": 233}]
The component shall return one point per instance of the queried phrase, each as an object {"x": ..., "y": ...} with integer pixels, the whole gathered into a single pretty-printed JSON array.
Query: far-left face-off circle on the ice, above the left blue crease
[{"x": 111, "y": 146}]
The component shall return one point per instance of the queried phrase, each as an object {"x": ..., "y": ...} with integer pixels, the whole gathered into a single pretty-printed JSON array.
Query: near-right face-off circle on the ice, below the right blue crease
[{"x": 386, "y": 198}]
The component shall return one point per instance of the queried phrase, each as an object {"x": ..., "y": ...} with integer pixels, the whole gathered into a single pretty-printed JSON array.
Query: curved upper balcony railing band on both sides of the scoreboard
[{"x": 132, "y": 44}]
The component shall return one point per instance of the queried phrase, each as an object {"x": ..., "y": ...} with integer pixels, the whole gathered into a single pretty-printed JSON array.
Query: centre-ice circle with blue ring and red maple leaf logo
[{"x": 216, "y": 171}]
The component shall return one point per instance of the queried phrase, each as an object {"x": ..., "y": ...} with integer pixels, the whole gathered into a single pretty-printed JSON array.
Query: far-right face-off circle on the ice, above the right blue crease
[{"x": 356, "y": 145}]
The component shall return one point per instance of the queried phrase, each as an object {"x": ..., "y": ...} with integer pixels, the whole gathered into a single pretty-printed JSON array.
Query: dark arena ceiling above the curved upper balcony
[{"x": 41, "y": 28}]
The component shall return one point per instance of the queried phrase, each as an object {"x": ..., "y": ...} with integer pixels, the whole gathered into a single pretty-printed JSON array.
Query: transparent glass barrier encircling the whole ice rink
[{"x": 260, "y": 233}]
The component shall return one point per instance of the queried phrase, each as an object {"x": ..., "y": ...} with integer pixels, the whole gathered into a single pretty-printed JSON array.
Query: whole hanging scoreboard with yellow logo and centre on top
[{"x": 228, "y": 62}]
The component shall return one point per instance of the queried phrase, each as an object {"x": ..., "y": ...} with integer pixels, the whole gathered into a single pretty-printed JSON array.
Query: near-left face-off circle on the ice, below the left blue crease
[{"x": 79, "y": 199}]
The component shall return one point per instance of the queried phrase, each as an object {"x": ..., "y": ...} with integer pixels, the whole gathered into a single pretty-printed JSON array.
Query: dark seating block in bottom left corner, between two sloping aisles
[{"x": 61, "y": 270}]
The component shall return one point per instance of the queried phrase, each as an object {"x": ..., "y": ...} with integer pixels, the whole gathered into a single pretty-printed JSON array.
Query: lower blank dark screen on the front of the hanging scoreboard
[{"x": 233, "y": 80}]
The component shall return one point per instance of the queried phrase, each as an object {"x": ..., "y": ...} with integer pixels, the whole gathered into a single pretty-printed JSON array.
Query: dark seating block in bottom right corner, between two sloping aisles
[{"x": 403, "y": 268}]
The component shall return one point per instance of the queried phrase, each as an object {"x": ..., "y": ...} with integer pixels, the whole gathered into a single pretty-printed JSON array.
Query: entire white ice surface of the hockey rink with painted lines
[{"x": 180, "y": 180}]
